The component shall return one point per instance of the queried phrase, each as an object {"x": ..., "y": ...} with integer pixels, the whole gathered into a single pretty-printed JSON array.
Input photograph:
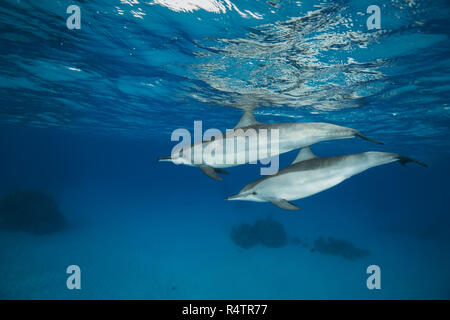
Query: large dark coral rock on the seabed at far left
[{"x": 30, "y": 211}]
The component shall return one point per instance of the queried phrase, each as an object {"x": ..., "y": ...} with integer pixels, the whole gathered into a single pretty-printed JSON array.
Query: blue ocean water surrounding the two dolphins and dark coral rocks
[{"x": 85, "y": 113}]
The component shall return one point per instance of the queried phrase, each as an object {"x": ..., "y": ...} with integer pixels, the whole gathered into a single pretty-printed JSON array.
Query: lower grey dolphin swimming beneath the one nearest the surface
[{"x": 309, "y": 175}]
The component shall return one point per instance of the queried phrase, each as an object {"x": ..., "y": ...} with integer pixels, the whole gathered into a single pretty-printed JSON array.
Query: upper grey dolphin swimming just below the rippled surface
[{"x": 291, "y": 136}]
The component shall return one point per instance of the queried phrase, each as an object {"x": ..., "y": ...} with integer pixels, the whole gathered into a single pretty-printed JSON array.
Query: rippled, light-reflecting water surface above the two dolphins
[{"x": 140, "y": 67}]
